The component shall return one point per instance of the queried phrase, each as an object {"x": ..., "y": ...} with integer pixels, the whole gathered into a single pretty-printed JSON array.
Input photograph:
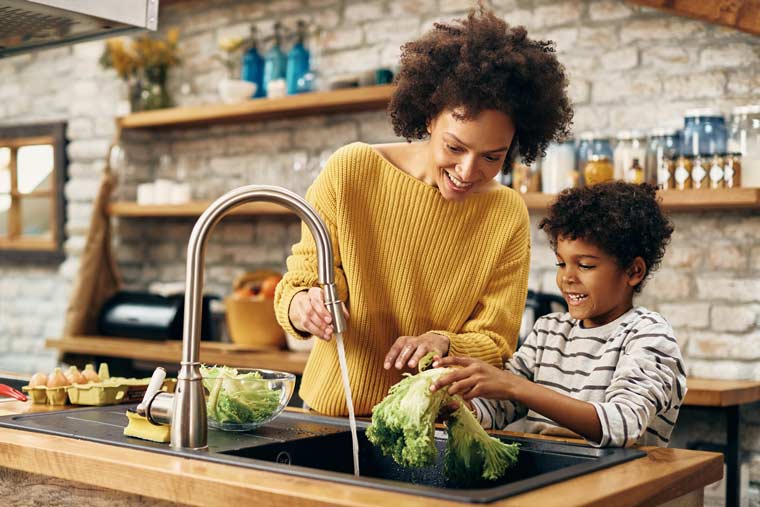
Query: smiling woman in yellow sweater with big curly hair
[{"x": 431, "y": 252}]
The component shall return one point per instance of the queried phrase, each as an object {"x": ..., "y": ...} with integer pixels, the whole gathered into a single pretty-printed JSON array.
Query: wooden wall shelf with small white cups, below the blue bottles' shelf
[{"x": 191, "y": 209}]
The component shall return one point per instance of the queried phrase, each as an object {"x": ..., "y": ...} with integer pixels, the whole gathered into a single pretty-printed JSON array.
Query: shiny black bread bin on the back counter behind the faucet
[{"x": 150, "y": 316}]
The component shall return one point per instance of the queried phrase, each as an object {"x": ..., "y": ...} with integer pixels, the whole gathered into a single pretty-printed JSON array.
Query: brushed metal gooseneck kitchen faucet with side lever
[{"x": 185, "y": 409}]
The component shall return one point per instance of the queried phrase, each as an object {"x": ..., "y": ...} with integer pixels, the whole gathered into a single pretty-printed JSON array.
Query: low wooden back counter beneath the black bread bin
[{"x": 171, "y": 351}]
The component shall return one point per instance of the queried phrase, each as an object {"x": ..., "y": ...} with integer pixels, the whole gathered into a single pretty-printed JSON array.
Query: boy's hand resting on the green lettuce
[{"x": 476, "y": 379}]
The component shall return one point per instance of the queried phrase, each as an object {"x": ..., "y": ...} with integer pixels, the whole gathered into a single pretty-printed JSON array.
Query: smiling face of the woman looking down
[{"x": 466, "y": 155}]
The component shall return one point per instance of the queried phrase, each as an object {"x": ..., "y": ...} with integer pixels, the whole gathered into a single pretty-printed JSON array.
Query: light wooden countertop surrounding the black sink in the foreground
[{"x": 662, "y": 475}]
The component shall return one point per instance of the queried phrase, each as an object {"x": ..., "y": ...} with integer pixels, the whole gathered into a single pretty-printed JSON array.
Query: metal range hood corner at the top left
[{"x": 27, "y": 25}]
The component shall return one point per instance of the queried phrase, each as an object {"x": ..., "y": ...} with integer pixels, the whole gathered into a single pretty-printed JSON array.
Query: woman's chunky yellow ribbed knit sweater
[{"x": 407, "y": 261}]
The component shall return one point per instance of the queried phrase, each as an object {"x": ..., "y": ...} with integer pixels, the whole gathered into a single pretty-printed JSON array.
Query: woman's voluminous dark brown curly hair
[{"x": 482, "y": 63}]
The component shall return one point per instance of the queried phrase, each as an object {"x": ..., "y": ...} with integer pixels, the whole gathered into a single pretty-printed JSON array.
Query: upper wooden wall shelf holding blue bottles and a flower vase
[{"x": 337, "y": 101}]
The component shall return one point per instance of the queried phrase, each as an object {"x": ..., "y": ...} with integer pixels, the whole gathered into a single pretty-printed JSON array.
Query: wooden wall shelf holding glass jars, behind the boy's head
[{"x": 679, "y": 200}]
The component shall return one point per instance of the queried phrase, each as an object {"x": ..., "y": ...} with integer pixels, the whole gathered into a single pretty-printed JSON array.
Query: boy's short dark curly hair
[{"x": 623, "y": 219}]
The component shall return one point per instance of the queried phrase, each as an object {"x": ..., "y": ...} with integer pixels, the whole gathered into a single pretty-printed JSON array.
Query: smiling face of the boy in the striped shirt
[{"x": 597, "y": 290}]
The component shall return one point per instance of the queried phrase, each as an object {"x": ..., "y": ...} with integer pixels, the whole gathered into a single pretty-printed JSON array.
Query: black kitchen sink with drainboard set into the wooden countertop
[{"x": 320, "y": 448}]
